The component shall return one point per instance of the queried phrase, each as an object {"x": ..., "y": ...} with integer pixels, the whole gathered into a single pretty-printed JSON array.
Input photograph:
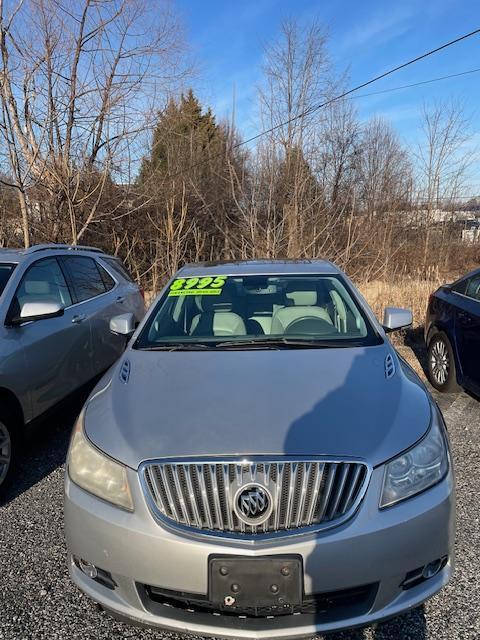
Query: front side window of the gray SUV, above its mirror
[{"x": 43, "y": 282}]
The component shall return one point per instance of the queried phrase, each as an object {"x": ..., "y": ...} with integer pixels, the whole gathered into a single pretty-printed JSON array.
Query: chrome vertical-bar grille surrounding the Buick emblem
[{"x": 305, "y": 493}]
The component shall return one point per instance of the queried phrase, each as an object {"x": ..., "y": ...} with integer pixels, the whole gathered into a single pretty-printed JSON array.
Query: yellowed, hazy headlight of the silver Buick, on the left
[{"x": 95, "y": 472}]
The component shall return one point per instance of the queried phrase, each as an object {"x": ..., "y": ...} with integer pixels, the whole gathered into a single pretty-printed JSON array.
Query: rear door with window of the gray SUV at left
[{"x": 98, "y": 297}]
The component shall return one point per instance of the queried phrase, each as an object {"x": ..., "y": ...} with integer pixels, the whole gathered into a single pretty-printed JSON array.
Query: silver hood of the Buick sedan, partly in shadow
[{"x": 332, "y": 402}]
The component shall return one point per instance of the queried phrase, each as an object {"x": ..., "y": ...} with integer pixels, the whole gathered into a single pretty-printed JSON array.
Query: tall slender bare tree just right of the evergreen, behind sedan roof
[{"x": 297, "y": 79}]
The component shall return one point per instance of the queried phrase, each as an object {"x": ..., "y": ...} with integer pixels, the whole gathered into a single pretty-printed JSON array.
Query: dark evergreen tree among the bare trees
[{"x": 190, "y": 163}]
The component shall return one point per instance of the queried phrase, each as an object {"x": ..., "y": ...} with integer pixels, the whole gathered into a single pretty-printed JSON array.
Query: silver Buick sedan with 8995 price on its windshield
[{"x": 260, "y": 463}]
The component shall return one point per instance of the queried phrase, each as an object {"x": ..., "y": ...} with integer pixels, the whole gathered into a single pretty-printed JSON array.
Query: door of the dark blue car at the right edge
[{"x": 467, "y": 328}]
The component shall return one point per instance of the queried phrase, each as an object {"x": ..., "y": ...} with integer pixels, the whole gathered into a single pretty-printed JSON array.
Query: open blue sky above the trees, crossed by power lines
[{"x": 366, "y": 37}]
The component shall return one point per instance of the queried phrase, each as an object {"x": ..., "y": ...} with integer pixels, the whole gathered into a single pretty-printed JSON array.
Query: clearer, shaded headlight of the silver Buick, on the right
[{"x": 419, "y": 468}]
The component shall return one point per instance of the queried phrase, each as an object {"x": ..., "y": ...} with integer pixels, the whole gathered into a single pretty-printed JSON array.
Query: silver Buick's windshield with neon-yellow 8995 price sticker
[{"x": 226, "y": 311}]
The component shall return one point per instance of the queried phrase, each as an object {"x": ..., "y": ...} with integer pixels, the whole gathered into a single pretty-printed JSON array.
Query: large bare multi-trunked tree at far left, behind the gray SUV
[{"x": 77, "y": 77}]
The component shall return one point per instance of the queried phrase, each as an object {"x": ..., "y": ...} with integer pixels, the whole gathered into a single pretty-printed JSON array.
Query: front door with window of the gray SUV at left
[{"x": 57, "y": 350}]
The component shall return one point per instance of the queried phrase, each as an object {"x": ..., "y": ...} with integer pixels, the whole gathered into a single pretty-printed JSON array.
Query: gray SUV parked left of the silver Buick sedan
[{"x": 56, "y": 302}]
